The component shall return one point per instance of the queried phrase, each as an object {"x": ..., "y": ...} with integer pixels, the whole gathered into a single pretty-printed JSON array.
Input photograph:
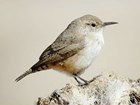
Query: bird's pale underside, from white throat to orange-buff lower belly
[{"x": 83, "y": 59}]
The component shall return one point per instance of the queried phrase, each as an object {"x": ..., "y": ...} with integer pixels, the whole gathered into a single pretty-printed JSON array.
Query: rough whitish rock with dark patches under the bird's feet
[{"x": 107, "y": 89}]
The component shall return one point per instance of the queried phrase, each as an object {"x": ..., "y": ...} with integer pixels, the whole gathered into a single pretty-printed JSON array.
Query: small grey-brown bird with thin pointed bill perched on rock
[{"x": 74, "y": 49}]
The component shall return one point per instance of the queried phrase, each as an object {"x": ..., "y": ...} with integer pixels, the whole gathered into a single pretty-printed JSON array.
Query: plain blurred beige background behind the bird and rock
[{"x": 27, "y": 27}]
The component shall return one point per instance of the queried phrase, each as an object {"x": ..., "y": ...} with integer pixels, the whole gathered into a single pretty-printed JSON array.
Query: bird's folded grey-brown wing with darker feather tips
[{"x": 55, "y": 54}]
